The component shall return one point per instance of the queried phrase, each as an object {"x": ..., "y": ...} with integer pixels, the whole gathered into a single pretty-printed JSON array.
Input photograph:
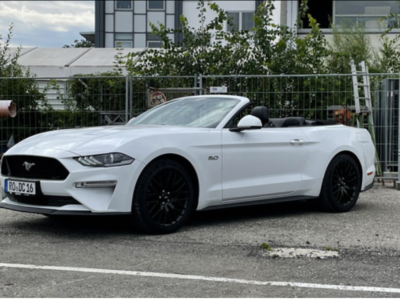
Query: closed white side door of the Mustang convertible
[{"x": 261, "y": 164}]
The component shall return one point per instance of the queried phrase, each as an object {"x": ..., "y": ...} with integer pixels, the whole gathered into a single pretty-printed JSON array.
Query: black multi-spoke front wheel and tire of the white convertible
[{"x": 164, "y": 198}]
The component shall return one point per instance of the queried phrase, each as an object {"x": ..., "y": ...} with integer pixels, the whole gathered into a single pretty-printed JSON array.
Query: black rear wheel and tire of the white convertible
[{"x": 341, "y": 185}]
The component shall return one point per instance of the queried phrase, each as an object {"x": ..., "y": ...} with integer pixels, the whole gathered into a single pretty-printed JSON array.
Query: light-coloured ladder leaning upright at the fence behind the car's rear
[{"x": 359, "y": 116}]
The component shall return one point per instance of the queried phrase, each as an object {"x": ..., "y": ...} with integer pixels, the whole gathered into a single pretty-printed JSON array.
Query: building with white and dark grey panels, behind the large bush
[{"x": 127, "y": 23}]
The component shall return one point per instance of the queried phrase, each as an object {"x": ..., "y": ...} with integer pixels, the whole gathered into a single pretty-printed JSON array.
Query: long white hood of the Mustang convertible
[{"x": 94, "y": 139}]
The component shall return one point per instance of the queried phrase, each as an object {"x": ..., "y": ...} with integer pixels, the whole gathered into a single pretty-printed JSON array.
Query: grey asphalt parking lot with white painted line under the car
[{"x": 218, "y": 254}]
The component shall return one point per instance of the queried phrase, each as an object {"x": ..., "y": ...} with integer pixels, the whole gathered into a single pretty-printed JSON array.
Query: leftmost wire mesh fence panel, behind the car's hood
[{"x": 45, "y": 104}]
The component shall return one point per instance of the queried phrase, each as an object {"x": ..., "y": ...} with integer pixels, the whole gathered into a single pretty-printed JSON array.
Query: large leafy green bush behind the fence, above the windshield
[{"x": 267, "y": 49}]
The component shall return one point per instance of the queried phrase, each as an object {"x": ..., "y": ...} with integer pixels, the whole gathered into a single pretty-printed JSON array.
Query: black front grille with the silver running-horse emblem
[{"x": 41, "y": 167}]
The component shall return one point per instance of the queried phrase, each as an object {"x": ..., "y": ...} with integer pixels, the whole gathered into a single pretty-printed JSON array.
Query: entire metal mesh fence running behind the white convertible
[{"x": 56, "y": 103}]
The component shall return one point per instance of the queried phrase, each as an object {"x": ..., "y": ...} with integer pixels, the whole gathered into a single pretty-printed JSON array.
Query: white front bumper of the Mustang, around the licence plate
[{"x": 88, "y": 201}]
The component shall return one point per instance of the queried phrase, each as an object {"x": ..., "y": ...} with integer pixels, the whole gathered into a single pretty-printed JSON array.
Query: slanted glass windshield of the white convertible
[{"x": 205, "y": 112}]
